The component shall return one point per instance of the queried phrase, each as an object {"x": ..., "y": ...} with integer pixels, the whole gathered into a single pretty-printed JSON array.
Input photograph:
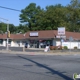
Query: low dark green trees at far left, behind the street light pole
[{"x": 13, "y": 29}]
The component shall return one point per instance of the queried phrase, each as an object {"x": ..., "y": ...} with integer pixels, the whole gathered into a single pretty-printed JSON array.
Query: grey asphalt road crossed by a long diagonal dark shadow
[{"x": 38, "y": 67}]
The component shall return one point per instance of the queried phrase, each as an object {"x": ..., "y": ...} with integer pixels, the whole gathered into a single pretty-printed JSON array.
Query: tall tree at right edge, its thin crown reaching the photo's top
[{"x": 73, "y": 15}]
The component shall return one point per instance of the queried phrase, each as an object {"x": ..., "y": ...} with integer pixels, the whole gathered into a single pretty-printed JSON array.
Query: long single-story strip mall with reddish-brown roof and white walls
[{"x": 39, "y": 39}]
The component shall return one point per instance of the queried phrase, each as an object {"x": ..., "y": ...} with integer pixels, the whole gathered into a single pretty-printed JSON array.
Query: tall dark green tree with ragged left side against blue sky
[{"x": 28, "y": 15}]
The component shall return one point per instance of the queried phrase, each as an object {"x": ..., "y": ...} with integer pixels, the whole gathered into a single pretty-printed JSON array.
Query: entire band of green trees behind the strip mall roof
[{"x": 33, "y": 17}]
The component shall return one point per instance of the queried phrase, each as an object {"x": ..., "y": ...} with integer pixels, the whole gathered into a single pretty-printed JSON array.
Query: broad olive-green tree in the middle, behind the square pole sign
[{"x": 54, "y": 17}]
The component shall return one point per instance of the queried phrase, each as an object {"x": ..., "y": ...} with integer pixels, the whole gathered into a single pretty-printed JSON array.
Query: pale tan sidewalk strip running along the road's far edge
[{"x": 40, "y": 53}]
